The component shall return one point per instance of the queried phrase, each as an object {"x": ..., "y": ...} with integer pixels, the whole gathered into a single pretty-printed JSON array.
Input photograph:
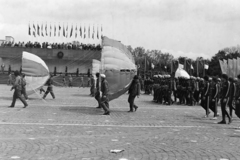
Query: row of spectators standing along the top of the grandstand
[{"x": 69, "y": 46}]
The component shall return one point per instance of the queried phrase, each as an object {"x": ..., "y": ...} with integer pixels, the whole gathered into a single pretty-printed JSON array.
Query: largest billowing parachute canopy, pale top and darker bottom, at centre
[{"x": 118, "y": 64}]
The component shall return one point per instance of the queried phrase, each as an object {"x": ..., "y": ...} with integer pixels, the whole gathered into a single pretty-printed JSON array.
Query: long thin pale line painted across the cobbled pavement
[{"x": 99, "y": 125}]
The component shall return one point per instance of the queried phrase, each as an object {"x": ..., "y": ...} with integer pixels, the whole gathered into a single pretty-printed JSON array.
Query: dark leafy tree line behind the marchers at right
[{"x": 157, "y": 62}]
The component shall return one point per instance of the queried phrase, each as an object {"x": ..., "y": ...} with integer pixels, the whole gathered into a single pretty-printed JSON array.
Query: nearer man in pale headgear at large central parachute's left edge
[{"x": 104, "y": 98}]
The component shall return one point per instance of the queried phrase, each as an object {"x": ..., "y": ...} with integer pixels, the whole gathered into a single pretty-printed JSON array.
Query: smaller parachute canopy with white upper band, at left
[{"x": 36, "y": 71}]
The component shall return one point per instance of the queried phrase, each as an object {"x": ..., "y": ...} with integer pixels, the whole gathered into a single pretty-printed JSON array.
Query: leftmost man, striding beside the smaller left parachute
[{"x": 17, "y": 86}]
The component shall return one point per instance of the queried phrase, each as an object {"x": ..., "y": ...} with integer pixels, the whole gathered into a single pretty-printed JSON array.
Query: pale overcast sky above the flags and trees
[{"x": 190, "y": 28}]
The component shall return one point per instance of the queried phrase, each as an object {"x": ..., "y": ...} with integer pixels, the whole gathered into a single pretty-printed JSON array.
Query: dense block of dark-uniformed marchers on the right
[{"x": 207, "y": 91}]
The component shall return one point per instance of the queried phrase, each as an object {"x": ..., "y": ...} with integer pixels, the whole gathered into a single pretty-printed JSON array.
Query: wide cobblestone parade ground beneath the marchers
[{"x": 70, "y": 127}]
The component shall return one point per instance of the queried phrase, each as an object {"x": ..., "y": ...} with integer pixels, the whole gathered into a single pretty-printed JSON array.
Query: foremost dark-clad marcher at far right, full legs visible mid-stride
[{"x": 225, "y": 99}]
